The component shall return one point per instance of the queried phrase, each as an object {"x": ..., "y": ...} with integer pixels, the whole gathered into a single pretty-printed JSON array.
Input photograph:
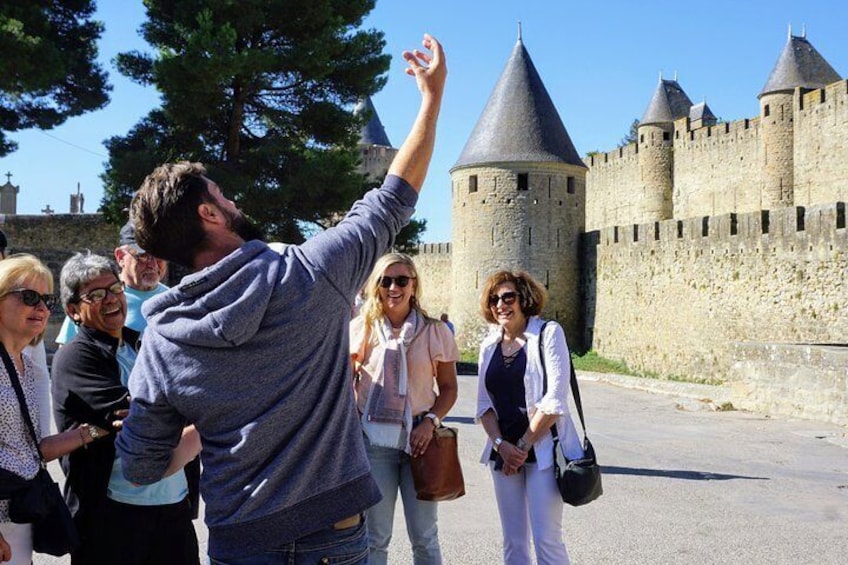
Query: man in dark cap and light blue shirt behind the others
[{"x": 141, "y": 274}]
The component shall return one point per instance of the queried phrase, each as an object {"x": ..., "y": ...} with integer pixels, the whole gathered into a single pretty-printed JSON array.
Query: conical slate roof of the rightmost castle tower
[{"x": 799, "y": 65}]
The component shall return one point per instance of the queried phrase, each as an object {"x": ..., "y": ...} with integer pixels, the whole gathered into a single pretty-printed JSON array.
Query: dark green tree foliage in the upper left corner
[{"x": 48, "y": 69}]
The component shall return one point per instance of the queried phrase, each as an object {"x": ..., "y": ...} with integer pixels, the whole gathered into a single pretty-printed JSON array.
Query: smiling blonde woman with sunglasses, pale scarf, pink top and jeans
[{"x": 405, "y": 384}]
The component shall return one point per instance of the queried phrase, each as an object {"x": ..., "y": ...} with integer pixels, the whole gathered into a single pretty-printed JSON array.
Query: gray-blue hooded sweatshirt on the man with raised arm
[{"x": 254, "y": 351}]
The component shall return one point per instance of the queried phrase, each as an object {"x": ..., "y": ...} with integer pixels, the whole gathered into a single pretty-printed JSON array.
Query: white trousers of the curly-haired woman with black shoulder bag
[{"x": 530, "y": 502}]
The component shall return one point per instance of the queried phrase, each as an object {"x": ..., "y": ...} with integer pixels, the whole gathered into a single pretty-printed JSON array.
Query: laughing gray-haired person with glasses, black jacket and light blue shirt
[{"x": 118, "y": 521}]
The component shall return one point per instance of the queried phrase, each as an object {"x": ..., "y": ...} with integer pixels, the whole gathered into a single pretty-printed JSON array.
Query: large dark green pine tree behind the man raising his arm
[{"x": 260, "y": 92}]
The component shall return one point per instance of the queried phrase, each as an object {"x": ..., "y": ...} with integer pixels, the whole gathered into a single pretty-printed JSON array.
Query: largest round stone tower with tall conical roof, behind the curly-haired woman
[{"x": 518, "y": 193}]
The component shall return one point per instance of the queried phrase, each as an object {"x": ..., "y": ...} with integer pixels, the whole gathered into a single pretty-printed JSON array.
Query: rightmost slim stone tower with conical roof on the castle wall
[{"x": 799, "y": 66}]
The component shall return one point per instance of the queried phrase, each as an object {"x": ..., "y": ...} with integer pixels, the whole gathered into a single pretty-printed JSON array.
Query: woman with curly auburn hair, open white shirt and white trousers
[{"x": 518, "y": 414}]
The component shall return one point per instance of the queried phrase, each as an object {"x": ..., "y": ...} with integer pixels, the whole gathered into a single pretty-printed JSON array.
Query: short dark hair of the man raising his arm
[{"x": 164, "y": 212}]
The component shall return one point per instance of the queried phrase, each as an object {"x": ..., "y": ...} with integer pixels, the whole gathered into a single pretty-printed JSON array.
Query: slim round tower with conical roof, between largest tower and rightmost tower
[{"x": 656, "y": 154}]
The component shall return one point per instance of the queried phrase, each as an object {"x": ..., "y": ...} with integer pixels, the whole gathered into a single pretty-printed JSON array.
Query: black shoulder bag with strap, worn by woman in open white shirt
[{"x": 579, "y": 480}]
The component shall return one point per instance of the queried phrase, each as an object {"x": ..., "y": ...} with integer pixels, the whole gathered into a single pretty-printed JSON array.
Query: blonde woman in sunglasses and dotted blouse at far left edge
[{"x": 26, "y": 297}]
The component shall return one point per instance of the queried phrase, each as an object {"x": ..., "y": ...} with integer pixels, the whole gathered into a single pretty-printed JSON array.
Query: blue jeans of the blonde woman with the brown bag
[{"x": 392, "y": 471}]
